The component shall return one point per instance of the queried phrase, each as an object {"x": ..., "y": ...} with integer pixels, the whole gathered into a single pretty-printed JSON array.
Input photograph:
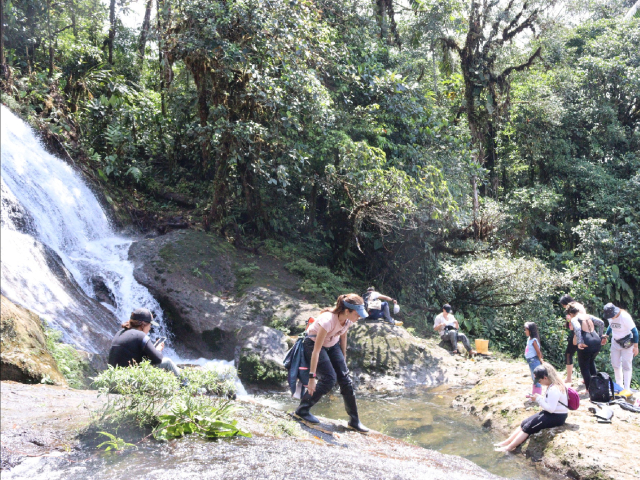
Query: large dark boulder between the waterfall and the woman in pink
[{"x": 219, "y": 304}]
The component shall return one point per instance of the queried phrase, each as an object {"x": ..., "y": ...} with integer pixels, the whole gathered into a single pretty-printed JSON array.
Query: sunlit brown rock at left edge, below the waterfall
[{"x": 24, "y": 355}]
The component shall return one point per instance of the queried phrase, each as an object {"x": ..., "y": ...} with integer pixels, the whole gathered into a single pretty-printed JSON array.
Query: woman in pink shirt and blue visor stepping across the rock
[{"x": 325, "y": 348}]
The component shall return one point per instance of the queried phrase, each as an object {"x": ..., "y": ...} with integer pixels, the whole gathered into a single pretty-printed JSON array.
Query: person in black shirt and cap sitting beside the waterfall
[{"x": 132, "y": 345}]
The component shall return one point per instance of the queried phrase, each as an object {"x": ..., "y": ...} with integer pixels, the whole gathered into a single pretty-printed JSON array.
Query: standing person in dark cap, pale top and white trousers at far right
[{"x": 624, "y": 343}]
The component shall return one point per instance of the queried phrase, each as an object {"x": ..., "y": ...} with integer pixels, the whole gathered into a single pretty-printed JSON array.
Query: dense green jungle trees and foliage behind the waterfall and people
[{"x": 483, "y": 153}]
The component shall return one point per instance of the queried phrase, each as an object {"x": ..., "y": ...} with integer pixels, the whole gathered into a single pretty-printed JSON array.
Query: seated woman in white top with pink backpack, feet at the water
[{"x": 554, "y": 408}]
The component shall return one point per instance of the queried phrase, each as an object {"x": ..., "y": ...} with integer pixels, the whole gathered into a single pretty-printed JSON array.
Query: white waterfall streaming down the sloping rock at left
[{"x": 56, "y": 240}]
